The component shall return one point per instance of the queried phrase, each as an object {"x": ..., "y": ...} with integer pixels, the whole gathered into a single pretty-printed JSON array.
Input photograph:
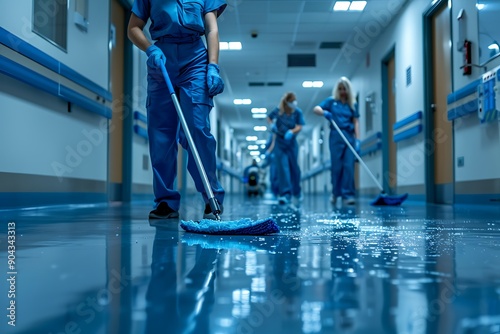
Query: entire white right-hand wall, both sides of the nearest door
[{"x": 474, "y": 141}]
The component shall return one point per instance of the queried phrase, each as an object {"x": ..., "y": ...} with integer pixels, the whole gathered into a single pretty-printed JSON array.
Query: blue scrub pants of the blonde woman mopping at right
[{"x": 342, "y": 165}]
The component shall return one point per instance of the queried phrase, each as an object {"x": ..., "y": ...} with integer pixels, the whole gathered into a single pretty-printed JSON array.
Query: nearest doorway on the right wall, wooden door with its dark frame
[{"x": 439, "y": 133}]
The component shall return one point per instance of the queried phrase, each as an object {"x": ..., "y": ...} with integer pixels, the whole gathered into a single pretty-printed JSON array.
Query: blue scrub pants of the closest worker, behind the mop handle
[{"x": 187, "y": 68}]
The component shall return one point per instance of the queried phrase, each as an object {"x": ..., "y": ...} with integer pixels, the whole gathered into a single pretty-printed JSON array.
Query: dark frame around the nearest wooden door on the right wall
[{"x": 428, "y": 116}]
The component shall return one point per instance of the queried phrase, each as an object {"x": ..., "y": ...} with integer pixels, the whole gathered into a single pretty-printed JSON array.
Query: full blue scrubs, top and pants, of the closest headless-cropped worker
[{"x": 177, "y": 27}]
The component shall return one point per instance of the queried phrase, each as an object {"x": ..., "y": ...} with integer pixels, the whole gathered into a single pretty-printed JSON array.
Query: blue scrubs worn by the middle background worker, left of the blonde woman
[{"x": 286, "y": 152}]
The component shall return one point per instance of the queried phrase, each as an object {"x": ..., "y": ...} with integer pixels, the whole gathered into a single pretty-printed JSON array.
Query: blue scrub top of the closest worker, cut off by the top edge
[{"x": 176, "y": 18}]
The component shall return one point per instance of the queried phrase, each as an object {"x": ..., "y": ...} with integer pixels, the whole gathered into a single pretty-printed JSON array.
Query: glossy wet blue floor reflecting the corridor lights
[{"x": 105, "y": 269}]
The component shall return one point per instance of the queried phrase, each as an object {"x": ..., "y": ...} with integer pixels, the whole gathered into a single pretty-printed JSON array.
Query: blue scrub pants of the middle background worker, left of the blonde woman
[{"x": 287, "y": 167}]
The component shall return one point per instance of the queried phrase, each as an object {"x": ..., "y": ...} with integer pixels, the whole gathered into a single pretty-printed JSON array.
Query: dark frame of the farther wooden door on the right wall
[{"x": 386, "y": 157}]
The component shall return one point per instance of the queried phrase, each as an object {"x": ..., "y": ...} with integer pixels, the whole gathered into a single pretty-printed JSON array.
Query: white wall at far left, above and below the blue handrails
[{"x": 40, "y": 137}]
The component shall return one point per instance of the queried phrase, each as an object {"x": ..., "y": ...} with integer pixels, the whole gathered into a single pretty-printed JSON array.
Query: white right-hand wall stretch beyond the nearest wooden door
[{"x": 405, "y": 36}]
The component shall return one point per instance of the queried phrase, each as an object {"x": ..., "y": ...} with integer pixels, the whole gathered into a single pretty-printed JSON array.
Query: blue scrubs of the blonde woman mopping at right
[{"x": 342, "y": 158}]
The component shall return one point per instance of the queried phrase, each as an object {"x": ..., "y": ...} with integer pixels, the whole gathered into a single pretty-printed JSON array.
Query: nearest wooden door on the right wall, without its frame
[{"x": 442, "y": 135}]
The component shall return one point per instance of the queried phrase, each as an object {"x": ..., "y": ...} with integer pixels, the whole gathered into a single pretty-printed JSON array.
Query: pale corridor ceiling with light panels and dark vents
[{"x": 285, "y": 27}]
